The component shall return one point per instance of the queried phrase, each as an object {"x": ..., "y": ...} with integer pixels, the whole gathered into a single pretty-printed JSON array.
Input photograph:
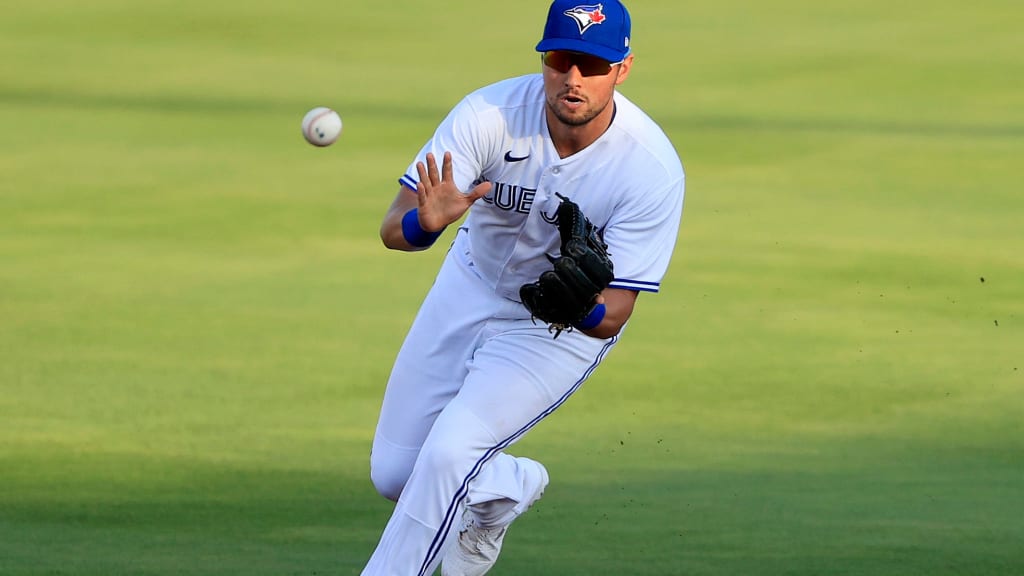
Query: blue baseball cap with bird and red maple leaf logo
[{"x": 602, "y": 30}]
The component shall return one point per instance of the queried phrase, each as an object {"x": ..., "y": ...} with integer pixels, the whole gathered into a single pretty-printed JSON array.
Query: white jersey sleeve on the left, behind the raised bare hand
[{"x": 468, "y": 137}]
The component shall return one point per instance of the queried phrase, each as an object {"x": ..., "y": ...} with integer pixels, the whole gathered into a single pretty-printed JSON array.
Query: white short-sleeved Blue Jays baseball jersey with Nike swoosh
[{"x": 629, "y": 183}]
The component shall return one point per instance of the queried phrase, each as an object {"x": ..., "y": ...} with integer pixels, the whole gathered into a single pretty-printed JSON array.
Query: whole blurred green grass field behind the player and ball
[{"x": 197, "y": 317}]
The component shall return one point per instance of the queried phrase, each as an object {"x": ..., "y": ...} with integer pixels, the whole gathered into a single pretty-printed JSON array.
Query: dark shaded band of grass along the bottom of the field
[{"x": 924, "y": 514}]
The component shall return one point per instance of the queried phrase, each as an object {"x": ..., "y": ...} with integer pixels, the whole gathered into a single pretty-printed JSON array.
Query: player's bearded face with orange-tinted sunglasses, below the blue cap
[{"x": 579, "y": 88}]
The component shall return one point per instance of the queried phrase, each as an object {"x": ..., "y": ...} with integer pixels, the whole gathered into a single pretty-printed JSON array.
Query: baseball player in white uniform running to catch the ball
[{"x": 574, "y": 198}]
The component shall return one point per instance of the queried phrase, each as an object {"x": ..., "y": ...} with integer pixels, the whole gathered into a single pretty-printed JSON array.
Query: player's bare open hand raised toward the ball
[{"x": 441, "y": 201}]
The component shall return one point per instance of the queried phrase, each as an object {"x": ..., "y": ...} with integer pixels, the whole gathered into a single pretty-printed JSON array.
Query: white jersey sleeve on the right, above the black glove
[{"x": 643, "y": 236}]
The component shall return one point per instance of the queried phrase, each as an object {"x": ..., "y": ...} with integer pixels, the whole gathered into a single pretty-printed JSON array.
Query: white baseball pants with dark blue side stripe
[{"x": 474, "y": 377}]
